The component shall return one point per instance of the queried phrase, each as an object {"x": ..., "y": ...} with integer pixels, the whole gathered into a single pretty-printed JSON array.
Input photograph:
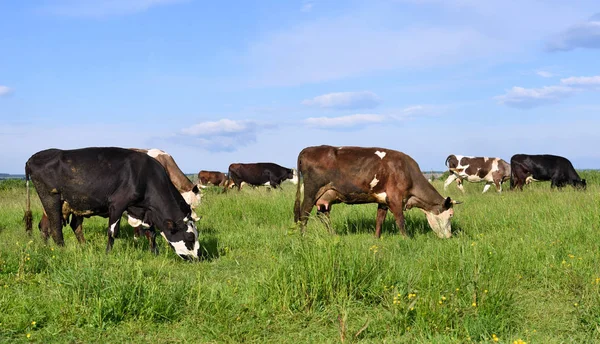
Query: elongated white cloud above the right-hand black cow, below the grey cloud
[{"x": 526, "y": 98}]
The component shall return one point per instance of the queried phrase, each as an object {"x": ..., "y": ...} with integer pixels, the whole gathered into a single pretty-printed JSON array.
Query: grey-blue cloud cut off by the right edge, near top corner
[{"x": 582, "y": 35}]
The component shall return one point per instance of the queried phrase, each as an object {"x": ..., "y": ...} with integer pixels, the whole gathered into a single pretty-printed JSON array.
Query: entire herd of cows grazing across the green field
[{"x": 150, "y": 188}]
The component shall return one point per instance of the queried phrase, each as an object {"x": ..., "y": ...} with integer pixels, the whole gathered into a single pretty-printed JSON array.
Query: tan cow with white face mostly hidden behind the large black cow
[{"x": 190, "y": 192}]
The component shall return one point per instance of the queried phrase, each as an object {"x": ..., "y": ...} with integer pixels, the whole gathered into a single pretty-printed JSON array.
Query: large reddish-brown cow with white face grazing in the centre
[{"x": 355, "y": 175}]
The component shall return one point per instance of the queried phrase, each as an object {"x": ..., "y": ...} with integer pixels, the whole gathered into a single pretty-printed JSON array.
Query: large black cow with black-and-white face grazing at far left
[{"x": 106, "y": 182}]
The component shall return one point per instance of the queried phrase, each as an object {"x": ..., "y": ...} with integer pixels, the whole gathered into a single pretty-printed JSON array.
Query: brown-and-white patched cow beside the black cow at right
[{"x": 476, "y": 169}]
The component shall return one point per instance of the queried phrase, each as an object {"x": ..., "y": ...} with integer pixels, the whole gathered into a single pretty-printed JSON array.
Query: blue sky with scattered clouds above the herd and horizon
[{"x": 245, "y": 81}]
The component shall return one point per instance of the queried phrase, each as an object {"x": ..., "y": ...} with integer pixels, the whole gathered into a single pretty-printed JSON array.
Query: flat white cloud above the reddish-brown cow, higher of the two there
[{"x": 345, "y": 100}]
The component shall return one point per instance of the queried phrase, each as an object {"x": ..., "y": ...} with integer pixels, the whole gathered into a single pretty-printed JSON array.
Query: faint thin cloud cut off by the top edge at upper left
[{"x": 102, "y": 8}]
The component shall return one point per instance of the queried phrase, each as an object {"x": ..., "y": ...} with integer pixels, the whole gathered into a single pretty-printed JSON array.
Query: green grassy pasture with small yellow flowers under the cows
[{"x": 520, "y": 266}]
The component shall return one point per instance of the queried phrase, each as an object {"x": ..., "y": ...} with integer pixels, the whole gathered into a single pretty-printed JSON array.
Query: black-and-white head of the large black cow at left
[{"x": 182, "y": 236}]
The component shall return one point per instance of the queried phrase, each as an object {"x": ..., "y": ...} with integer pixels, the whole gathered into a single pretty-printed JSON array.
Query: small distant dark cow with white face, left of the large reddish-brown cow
[{"x": 257, "y": 174}]
